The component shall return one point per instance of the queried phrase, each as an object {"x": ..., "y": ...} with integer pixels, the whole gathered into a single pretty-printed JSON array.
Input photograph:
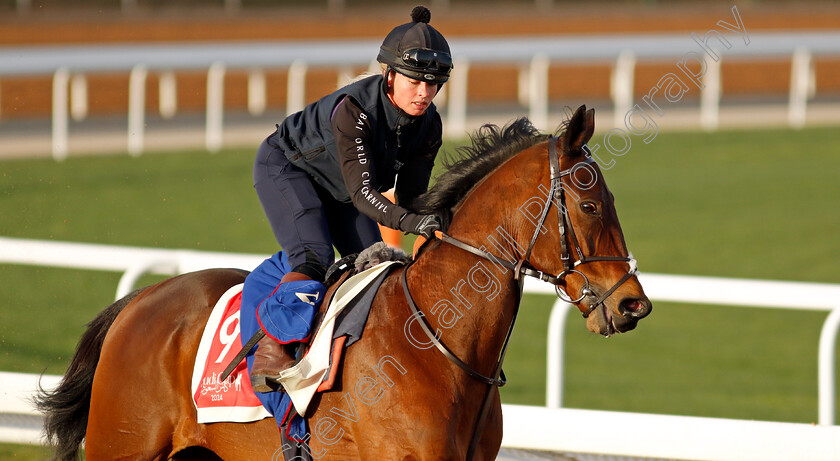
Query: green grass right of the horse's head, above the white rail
[{"x": 759, "y": 204}]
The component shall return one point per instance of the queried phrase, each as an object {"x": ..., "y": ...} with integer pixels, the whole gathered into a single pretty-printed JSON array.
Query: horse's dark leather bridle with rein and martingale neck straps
[{"x": 556, "y": 197}]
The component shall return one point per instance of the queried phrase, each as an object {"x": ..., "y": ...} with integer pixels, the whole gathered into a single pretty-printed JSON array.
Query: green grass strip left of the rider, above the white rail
[{"x": 184, "y": 200}]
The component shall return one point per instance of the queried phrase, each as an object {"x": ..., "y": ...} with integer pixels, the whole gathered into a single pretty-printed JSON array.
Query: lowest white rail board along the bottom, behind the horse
[{"x": 558, "y": 429}]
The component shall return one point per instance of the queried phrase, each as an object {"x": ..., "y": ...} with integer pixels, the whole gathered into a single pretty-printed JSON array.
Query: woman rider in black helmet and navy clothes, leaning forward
[{"x": 320, "y": 175}]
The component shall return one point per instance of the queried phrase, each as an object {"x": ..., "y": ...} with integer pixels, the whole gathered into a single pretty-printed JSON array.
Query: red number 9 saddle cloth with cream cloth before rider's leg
[{"x": 233, "y": 400}]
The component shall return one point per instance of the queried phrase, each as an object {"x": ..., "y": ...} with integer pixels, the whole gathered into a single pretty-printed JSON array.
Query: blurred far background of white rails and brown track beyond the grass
[{"x": 88, "y": 108}]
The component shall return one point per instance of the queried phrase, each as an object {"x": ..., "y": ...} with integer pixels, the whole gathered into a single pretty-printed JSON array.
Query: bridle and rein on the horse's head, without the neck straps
[{"x": 557, "y": 197}]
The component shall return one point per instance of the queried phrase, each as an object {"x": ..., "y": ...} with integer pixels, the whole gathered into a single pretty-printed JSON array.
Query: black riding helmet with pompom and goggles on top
[{"x": 417, "y": 50}]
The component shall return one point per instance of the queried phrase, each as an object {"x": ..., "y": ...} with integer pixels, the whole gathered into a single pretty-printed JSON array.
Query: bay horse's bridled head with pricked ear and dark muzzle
[{"x": 596, "y": 272}]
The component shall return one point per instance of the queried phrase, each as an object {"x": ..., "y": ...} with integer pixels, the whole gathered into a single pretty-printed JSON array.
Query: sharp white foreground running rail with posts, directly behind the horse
[{"x": 552, "y": 428}]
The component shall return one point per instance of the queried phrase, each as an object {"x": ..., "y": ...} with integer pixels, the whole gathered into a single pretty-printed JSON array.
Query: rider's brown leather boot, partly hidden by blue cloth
[{"x": 272, "y": 357}]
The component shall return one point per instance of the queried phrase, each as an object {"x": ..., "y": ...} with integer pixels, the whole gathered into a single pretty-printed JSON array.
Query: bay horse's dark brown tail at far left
[{"x": 66, "y": 408}]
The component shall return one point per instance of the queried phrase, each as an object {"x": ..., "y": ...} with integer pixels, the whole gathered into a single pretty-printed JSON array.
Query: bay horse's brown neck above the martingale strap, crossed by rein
[{"x": 456, "y": 284}]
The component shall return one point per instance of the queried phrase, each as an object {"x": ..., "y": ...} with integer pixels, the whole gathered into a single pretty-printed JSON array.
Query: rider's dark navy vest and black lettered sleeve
[{"x": 356, "y": 144}]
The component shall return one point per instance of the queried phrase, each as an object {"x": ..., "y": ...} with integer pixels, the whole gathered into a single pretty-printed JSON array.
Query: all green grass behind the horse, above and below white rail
[{"x": 754, "y": 204}]
